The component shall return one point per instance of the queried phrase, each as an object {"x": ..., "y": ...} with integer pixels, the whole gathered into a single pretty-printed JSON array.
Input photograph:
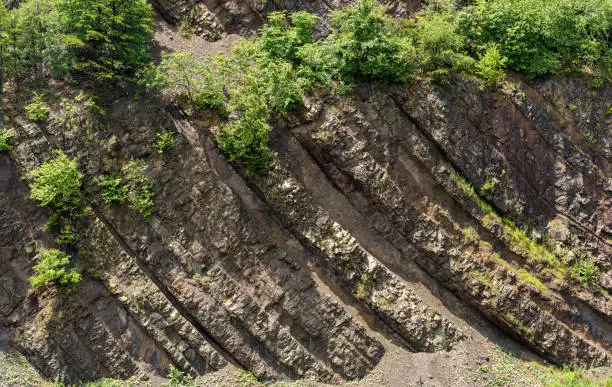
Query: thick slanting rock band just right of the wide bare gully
[{"x": 360, "y": 148}]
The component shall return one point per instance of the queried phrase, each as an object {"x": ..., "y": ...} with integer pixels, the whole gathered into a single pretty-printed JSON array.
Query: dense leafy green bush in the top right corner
[{"x": 542, "y": 36}]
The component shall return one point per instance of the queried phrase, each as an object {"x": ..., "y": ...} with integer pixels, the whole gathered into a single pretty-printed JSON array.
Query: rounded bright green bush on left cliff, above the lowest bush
[{"x": 57, "y": 184}]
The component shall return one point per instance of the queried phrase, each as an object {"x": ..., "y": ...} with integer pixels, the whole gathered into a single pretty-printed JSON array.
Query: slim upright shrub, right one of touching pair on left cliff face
[{"x": 139, "y": 187}]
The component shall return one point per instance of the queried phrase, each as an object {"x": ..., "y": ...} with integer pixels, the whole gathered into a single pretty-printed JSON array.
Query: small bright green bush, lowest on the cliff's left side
[{"x": 52, "y": 268}]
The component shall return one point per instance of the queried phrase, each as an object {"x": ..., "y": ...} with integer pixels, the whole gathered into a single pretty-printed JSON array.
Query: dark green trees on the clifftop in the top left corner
[{"x": 105, "y": 38}]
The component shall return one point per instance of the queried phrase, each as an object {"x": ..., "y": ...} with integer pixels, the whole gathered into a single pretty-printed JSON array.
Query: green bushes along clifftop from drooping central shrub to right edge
[{"x": 270, "y": 74}]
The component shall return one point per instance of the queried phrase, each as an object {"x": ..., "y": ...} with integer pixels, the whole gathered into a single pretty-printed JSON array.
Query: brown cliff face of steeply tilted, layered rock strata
[{"x": 379, "y": 241}]
